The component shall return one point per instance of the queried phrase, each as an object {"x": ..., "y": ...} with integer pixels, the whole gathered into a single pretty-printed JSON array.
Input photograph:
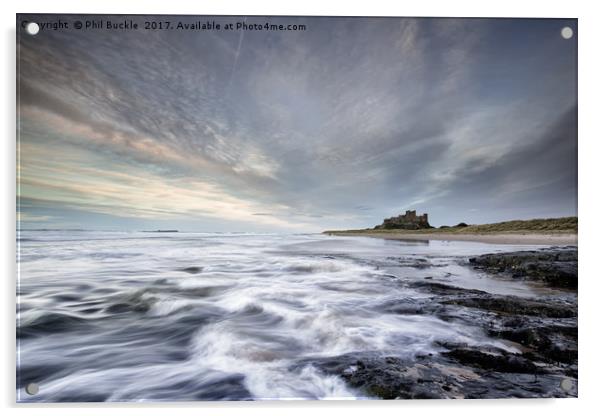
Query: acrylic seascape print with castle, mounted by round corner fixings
[{"x": 263, "y": 208}]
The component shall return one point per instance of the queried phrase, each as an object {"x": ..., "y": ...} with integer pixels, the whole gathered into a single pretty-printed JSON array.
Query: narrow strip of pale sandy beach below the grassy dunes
[{"x": 490, "y": 238}]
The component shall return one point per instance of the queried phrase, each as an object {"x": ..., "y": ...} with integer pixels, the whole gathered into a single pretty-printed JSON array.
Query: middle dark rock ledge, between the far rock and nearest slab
[{"x": 546, "y": 326}]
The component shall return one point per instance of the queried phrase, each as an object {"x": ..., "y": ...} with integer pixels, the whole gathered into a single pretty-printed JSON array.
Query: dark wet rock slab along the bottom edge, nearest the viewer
[{"x": 462, "y": 373}]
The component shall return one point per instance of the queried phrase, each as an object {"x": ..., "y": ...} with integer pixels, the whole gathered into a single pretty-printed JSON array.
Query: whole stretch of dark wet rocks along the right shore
[{"x": 543, "y": 330}]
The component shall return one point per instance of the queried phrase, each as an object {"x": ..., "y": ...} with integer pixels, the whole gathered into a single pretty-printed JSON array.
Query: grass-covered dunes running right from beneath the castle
[{"x": 564, "y": 225}]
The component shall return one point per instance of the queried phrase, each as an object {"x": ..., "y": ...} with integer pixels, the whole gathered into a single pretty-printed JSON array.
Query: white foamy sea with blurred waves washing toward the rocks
[{"x": 142, "y": 316}]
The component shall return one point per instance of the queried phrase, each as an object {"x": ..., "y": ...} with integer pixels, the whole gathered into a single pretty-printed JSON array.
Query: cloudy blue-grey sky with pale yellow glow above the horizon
[{"x": 334, "y": 127}]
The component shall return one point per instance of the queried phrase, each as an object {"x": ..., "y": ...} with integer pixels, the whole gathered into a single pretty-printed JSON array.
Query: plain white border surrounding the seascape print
[{"x": 590, "y": 293}]
